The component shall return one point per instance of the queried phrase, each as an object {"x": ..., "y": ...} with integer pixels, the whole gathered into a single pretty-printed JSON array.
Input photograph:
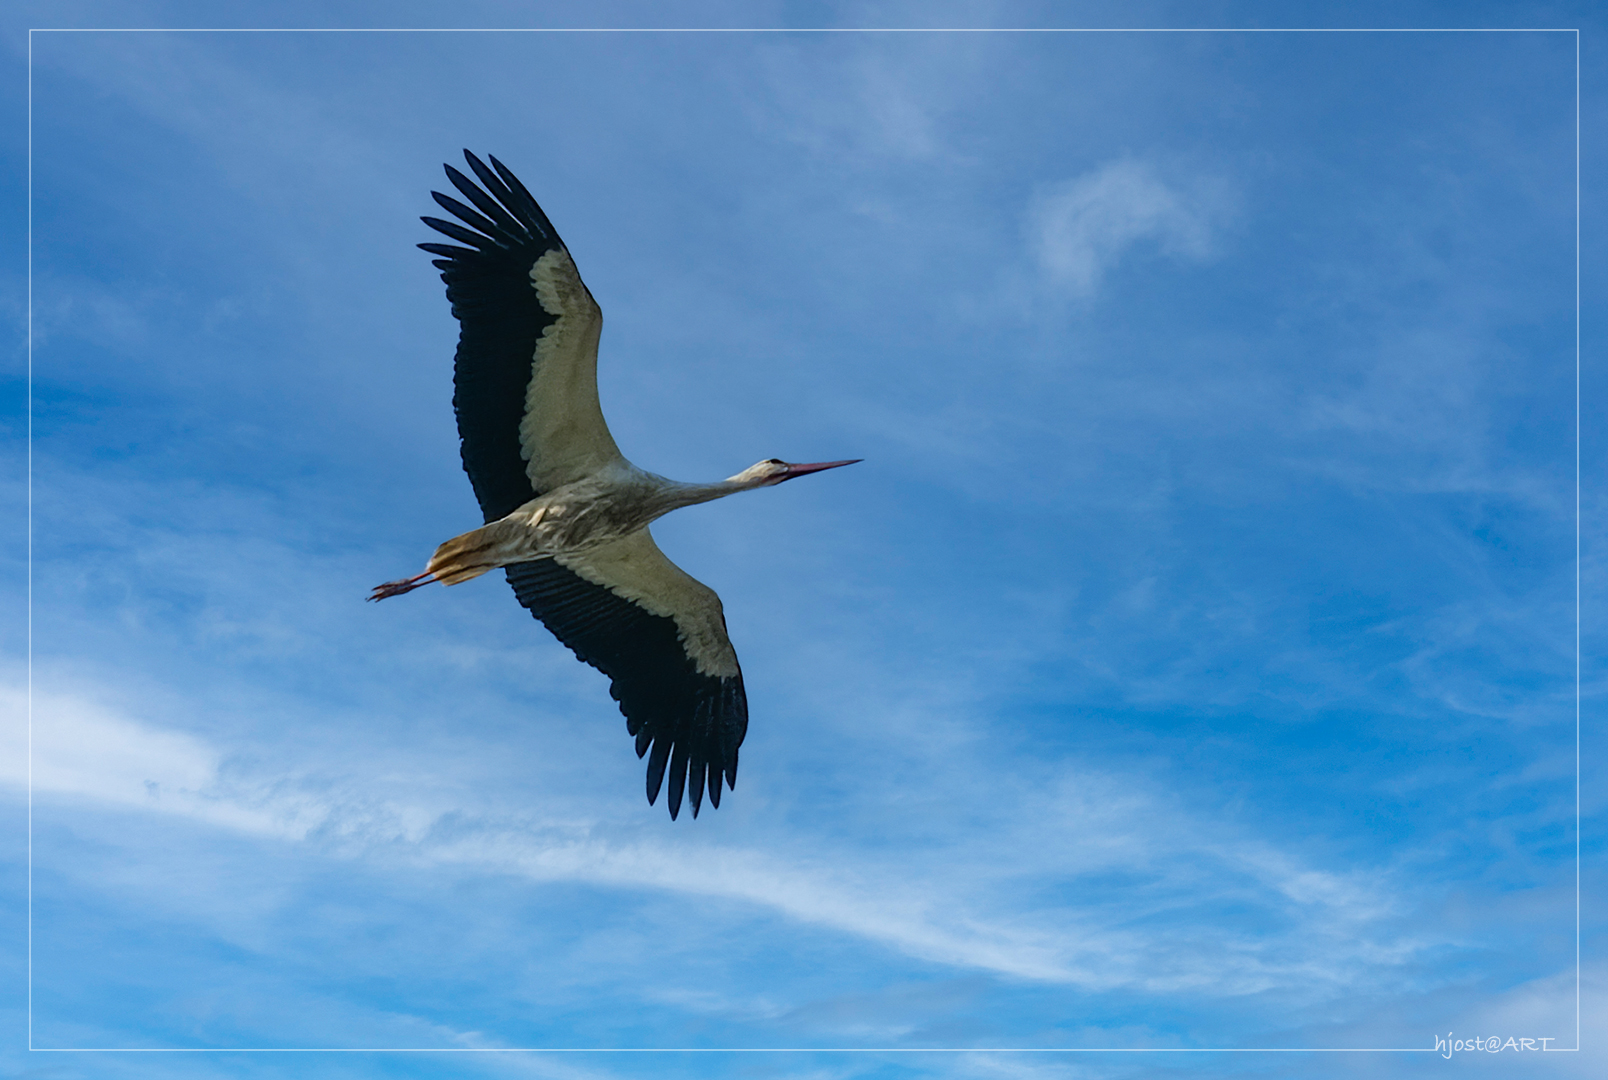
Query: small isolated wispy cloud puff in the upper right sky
[{"x": 1083, "y": 227}]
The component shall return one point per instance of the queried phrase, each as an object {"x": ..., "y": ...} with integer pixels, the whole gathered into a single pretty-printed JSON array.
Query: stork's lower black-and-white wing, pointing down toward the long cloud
[{"x": 660, "y": 636}]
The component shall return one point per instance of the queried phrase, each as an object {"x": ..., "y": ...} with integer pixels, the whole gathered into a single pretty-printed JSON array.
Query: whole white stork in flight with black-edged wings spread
[{"x": 567, "y": 513}]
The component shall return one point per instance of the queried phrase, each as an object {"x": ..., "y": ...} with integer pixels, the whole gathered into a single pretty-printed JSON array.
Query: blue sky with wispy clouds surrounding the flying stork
[{"x": 1191, "y": 663}]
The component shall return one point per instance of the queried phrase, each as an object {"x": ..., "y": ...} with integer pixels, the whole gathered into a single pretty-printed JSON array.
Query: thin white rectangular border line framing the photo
[{"x": 790, "y": 1050}]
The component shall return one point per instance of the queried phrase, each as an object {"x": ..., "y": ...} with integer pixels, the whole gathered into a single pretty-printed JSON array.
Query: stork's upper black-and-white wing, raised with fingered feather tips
[{"x": 525, "y": 383}]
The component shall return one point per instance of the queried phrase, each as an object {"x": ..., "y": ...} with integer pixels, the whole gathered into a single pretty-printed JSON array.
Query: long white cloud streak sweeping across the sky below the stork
[{"x": 954, "y": 907}]
